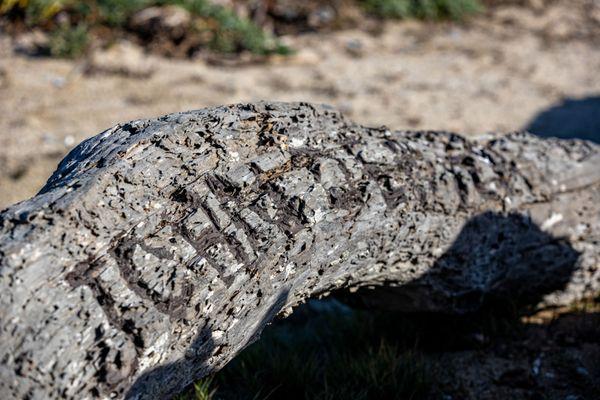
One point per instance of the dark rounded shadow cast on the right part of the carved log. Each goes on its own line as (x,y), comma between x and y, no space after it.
(497,263)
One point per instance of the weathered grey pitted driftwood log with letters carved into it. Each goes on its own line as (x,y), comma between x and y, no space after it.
(160,248)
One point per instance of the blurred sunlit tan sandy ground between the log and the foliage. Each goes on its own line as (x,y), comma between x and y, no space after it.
(499,72)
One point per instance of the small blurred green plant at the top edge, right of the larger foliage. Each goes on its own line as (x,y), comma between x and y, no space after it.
(425,9)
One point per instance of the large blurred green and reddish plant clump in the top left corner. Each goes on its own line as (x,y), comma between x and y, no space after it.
(227,32)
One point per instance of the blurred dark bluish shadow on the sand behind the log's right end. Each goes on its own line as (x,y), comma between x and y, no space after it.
(571,119)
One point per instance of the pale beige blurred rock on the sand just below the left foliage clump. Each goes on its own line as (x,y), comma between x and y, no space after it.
(123,58)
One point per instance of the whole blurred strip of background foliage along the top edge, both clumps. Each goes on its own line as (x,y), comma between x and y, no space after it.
(192,25)
